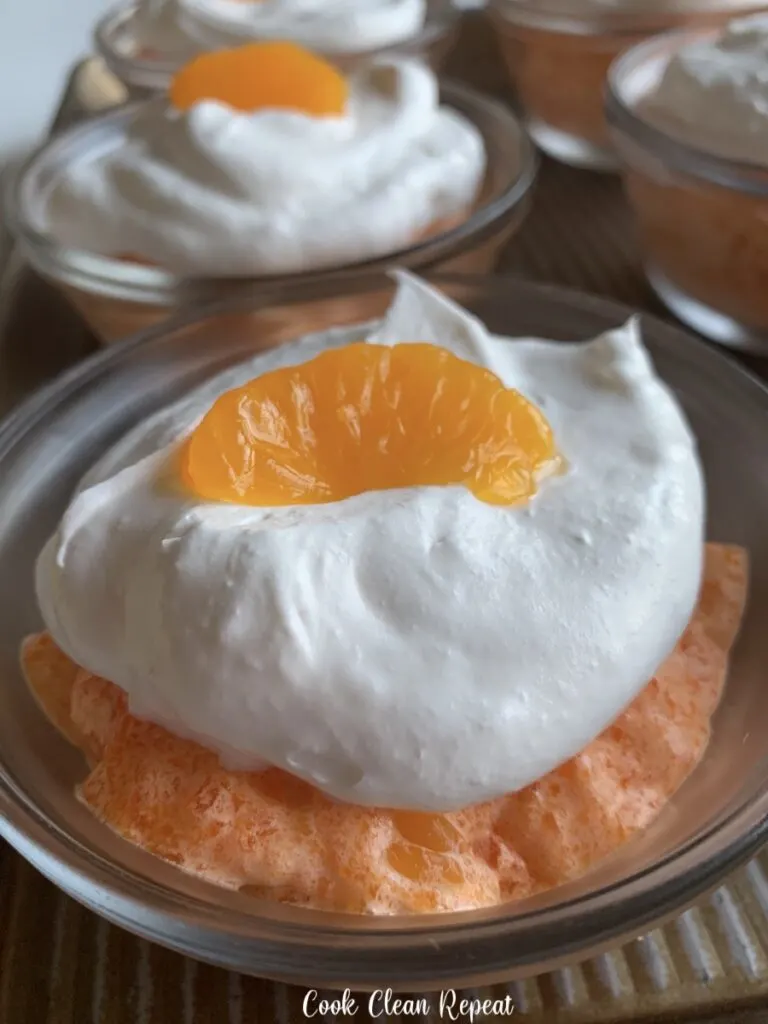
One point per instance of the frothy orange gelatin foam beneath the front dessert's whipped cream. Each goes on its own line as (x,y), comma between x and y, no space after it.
(274,836)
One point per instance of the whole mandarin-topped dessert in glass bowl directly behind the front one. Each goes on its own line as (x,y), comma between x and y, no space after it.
(415,177)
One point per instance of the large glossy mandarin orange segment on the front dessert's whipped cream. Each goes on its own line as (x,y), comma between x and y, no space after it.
(368,418)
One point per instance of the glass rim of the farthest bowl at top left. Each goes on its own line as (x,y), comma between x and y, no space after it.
(150,73)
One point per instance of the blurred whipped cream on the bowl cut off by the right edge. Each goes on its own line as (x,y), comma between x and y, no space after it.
(713,93)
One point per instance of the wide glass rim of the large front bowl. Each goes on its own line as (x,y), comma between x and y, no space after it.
(359,950)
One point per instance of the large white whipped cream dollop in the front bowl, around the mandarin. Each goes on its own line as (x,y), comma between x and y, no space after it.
(413,649)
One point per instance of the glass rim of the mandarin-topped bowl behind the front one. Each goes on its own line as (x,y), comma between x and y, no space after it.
(153,286)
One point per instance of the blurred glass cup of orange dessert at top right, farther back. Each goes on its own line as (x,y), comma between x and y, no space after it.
(559,58)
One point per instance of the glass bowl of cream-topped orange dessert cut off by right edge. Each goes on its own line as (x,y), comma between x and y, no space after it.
(698,179)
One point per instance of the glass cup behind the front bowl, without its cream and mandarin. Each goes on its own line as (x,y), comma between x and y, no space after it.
(118,297)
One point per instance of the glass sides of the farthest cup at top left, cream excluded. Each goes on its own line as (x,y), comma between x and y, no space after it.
(143,73)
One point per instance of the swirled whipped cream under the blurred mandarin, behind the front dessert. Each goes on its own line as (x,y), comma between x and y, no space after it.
(214,192)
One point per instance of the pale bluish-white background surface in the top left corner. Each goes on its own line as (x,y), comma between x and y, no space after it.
(39,41)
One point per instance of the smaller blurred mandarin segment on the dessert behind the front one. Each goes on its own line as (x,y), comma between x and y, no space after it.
(263,76)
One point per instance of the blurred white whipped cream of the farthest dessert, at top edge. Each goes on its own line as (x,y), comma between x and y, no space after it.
(174,27)
